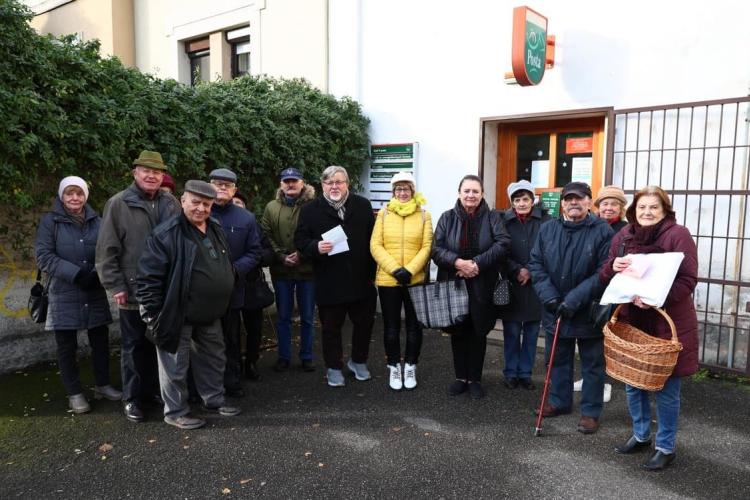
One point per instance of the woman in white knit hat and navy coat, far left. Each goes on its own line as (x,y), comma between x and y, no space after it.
(64,249)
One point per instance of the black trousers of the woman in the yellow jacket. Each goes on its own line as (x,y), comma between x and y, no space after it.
(391,300)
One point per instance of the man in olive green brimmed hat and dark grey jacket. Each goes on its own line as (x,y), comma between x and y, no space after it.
(127,220)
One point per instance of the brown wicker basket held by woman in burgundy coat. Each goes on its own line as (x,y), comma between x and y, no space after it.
(639,359)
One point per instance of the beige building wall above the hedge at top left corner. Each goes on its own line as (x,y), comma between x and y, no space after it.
(111,21)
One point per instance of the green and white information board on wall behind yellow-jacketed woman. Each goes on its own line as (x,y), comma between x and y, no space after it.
(386,160)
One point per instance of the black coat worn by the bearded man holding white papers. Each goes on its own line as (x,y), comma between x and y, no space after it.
(348,276)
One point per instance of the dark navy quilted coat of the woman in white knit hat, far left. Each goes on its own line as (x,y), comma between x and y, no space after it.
(69,256)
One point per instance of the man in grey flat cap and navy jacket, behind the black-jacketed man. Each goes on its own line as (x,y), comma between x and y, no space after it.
(243,236)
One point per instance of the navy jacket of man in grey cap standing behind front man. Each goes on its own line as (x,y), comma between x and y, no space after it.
(243,235)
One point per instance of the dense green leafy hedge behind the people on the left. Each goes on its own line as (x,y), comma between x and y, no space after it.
(66,111)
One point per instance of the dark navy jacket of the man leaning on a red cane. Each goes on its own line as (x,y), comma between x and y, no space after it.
(565,264)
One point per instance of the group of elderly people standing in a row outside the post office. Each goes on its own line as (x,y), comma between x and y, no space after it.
(177,271)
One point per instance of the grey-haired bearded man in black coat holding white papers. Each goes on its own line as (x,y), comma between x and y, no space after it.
(344,271)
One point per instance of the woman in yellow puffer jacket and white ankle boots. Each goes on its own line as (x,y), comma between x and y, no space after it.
(401,244)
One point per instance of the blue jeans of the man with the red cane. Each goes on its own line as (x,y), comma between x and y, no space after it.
(591,352)
